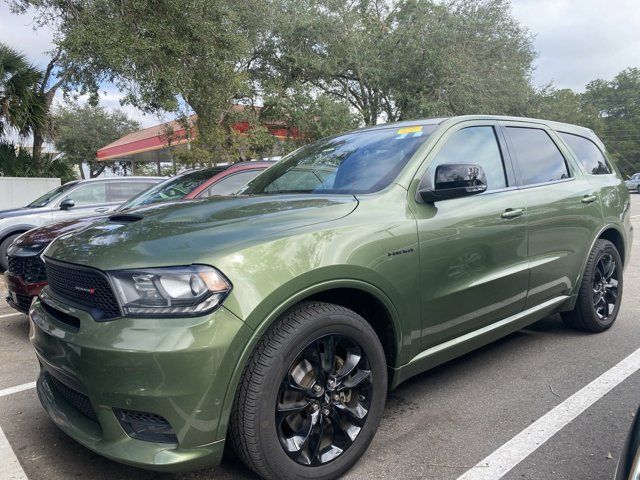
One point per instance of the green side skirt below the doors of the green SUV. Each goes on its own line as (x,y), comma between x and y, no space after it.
(458,346)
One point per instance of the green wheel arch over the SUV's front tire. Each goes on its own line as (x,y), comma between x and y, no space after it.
(359,296)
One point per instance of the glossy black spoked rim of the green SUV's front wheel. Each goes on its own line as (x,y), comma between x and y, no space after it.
(324,400)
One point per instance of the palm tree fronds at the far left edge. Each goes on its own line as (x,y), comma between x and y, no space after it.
(21,106)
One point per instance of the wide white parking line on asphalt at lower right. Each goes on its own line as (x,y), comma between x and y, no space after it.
(501,461)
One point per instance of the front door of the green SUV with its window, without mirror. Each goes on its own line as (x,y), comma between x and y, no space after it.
(473,250)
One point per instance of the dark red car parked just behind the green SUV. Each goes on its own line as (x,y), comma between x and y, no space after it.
(26,274)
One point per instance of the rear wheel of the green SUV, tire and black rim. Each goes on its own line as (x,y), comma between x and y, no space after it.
(586,316)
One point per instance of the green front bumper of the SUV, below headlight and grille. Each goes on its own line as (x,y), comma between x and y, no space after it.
(178,369)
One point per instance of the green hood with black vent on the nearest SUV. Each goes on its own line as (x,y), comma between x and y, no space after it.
(193,231)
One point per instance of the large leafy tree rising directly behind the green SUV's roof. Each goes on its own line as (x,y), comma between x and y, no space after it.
(397,59)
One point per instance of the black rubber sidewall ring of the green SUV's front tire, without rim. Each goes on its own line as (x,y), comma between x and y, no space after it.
(335,323)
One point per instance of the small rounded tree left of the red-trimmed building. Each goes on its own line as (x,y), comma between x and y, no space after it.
(81,130)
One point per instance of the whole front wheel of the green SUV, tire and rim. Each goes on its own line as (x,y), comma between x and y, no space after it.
(312,395)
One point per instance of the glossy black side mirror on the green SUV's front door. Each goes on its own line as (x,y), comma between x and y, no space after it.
(453,180)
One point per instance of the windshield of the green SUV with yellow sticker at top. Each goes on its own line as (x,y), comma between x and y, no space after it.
(359,162)
